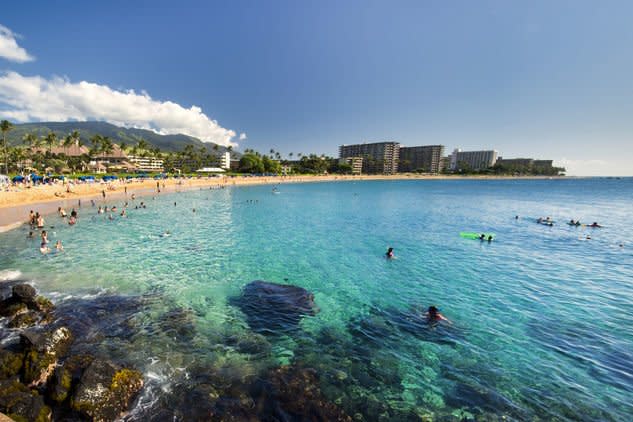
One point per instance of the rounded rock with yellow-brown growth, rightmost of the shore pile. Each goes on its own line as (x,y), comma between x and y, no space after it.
(105,391)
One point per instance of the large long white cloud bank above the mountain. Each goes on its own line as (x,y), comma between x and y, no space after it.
(33,98)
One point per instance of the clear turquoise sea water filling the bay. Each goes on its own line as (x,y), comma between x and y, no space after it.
(542,318)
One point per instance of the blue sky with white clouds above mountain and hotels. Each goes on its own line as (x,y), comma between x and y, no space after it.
(539,79)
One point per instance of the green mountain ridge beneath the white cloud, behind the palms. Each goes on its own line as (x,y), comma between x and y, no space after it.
(167,143)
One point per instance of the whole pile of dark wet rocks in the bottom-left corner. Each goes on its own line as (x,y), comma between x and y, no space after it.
(37,372)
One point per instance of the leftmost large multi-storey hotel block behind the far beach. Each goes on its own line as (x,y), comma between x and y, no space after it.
(377,157)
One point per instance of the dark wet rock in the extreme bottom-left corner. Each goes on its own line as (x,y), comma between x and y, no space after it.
(22,404)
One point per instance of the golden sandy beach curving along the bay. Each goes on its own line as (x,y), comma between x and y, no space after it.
(15,205)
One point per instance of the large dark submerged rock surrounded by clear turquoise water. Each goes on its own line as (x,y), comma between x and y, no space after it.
(271,307)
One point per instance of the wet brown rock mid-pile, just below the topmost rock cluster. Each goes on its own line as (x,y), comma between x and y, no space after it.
(42,352)
